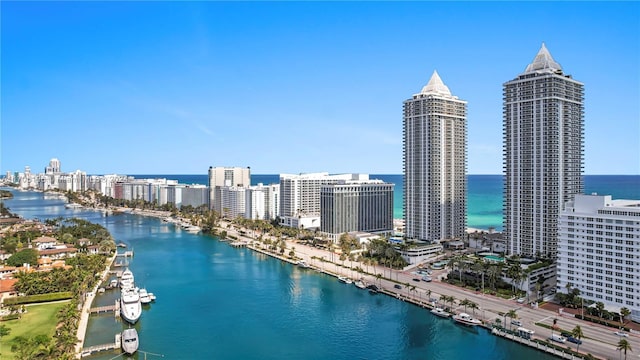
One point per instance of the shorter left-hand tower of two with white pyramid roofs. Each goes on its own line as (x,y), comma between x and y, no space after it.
(435,160)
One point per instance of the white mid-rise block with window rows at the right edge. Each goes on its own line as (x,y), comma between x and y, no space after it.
(599,251)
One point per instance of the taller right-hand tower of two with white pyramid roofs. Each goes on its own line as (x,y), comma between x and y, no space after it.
(543,154)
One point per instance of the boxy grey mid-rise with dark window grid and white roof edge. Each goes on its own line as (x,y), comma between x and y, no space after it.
(351,205)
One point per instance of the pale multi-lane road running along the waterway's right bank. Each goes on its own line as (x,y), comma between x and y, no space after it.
(598,340)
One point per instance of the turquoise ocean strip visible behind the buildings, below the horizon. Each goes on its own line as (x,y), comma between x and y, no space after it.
(484,197)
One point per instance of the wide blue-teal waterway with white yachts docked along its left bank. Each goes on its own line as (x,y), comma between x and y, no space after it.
(217,302)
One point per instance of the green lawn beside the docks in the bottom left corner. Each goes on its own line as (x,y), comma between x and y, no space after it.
(39,319)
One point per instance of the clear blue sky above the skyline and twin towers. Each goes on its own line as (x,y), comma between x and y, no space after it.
(289,87)
